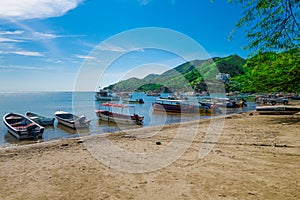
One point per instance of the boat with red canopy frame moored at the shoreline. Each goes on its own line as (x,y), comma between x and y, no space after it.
(119,113)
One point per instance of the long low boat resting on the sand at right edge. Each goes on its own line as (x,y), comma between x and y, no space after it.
(277,110)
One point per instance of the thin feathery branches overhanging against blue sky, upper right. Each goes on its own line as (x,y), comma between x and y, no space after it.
(272,24)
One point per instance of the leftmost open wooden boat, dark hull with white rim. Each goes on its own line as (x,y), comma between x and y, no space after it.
(22,127)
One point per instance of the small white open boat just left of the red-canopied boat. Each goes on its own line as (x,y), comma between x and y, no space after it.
(71,120)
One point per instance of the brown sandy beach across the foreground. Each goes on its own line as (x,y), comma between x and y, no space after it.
(253,157)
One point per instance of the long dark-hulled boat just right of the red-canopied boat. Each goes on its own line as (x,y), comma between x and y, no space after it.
(173,106)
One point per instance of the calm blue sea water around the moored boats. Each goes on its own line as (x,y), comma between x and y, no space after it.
(82,103)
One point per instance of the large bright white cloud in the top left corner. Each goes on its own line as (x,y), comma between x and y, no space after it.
(34,9)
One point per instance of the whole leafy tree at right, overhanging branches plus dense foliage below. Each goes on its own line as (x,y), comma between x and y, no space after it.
(272,26)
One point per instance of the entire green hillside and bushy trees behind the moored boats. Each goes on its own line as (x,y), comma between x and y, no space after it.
(265,72)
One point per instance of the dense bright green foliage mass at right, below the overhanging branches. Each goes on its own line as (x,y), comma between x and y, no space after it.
(271,72)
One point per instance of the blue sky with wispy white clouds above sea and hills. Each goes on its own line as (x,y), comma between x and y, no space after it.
(46,45)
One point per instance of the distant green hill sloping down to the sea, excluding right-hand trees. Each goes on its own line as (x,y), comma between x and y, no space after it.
(189,76)
